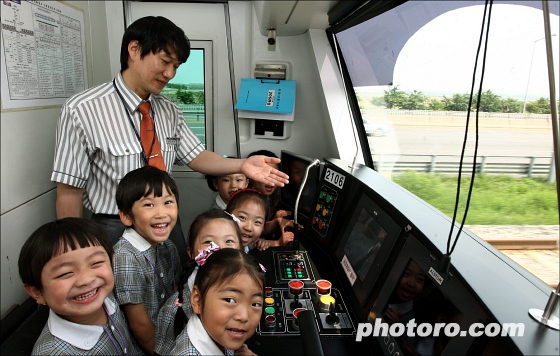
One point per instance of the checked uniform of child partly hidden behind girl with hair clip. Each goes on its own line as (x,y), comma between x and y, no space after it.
(165,334)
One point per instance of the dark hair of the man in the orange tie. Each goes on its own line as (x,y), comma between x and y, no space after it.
(153,35)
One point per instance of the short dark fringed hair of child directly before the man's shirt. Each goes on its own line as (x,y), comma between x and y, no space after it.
(142,182)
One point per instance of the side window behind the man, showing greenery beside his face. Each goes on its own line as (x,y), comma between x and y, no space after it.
(191,89)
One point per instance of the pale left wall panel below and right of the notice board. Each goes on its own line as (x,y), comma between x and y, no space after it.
(27,151)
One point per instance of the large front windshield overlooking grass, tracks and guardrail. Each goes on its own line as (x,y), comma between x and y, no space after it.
(412,72)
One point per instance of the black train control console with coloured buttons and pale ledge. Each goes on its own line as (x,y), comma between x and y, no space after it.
(362,235)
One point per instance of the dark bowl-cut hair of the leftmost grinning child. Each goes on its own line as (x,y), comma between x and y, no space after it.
(55,238)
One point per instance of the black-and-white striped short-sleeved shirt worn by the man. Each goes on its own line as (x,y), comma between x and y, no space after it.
(96,144)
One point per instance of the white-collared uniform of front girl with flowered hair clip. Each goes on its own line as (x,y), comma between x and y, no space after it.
(195,341)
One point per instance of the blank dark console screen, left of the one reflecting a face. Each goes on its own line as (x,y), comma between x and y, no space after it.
(363,243)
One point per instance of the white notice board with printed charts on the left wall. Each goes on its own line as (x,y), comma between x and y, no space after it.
(43,53)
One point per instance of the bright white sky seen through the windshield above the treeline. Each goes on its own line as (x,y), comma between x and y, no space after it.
(445,66)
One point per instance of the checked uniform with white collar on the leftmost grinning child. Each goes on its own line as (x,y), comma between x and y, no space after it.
(62,337)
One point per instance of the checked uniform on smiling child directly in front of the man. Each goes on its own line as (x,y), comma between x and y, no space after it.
(144,274)
